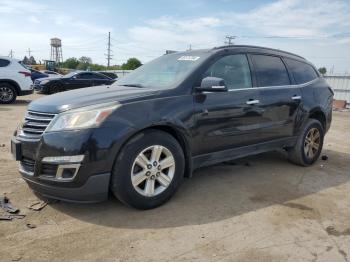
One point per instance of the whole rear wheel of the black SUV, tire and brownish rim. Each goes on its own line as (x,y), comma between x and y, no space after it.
(300,154)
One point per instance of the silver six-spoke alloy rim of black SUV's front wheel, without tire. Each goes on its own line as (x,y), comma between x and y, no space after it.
(153,170)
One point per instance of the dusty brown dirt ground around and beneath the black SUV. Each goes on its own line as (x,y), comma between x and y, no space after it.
(268,210)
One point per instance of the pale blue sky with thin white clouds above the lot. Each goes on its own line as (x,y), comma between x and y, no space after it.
(318,30)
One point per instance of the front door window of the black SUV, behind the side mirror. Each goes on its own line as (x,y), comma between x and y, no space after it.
(234,69)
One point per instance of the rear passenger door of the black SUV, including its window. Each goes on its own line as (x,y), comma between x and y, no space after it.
(279,99)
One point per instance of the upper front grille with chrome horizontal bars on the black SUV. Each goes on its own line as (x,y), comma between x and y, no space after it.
(35,124)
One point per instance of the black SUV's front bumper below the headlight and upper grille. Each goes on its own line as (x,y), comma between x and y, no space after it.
(89,184)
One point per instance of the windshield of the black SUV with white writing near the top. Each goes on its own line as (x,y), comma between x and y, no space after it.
(164,72)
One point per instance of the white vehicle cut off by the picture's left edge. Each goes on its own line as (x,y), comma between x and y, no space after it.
(14,80)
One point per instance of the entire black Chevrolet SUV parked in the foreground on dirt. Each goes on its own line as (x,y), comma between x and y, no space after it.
(139,137)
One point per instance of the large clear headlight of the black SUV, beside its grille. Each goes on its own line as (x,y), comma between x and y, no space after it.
(85,117)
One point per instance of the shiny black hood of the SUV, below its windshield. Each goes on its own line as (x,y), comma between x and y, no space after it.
(89,96)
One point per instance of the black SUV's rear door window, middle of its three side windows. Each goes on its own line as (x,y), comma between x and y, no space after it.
(270,71)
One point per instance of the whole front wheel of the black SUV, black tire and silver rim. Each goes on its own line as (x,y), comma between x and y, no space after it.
(129,162)
